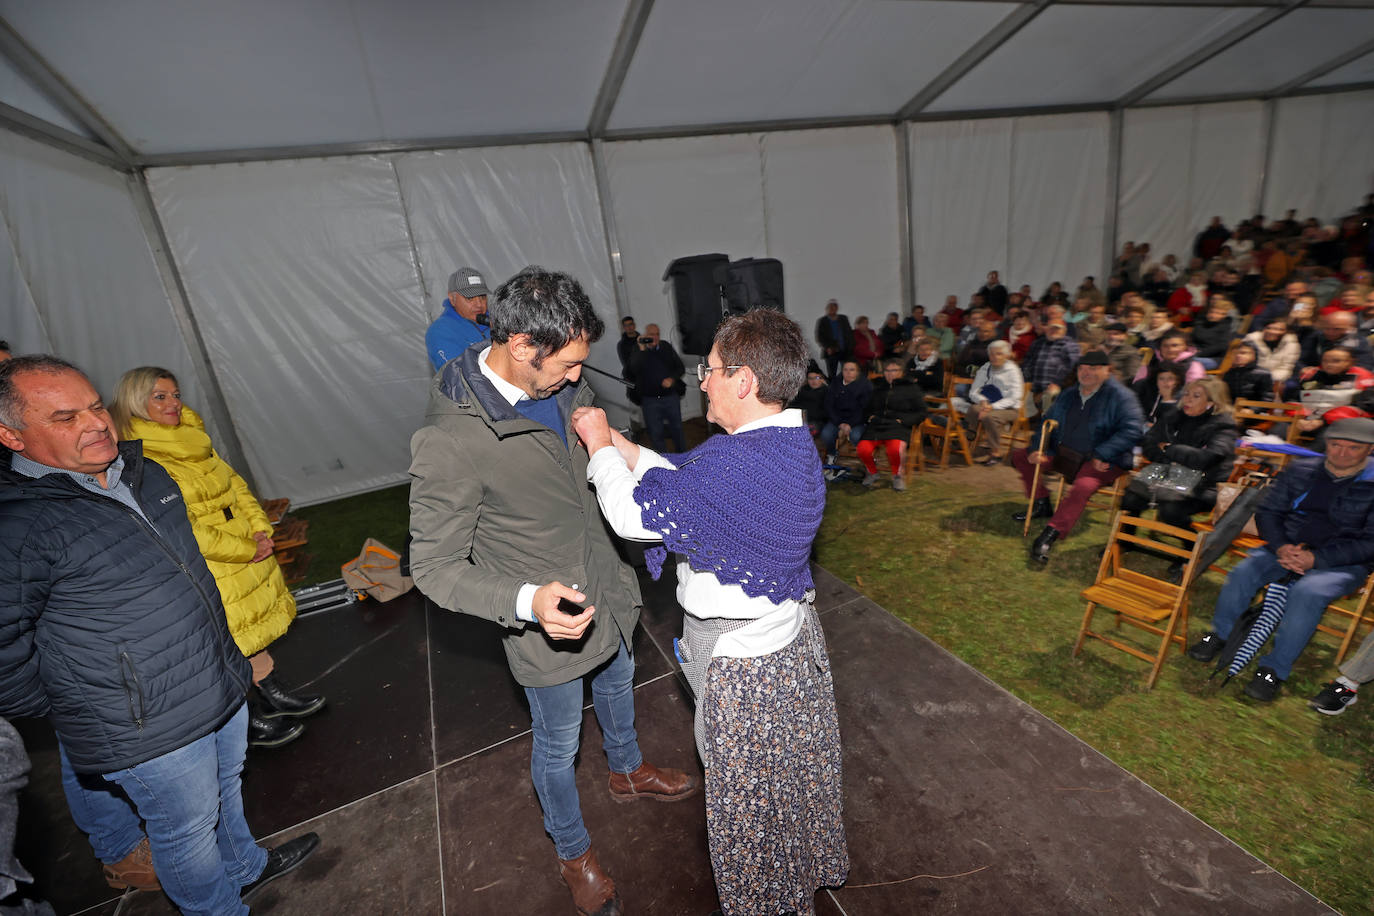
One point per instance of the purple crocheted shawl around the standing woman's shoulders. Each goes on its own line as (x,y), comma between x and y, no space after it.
(745,507)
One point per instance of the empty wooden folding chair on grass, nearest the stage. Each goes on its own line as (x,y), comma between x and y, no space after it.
(1142,601)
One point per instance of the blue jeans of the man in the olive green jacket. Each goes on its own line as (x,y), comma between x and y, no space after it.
(557,719)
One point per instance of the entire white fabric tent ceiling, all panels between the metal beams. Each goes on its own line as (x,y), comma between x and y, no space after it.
(208,79)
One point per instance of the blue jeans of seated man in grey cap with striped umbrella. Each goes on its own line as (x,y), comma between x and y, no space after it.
(1307,601)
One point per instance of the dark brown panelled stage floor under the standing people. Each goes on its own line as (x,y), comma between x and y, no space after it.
(958,797)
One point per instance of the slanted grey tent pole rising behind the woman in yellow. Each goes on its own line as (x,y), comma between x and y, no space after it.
(227,437)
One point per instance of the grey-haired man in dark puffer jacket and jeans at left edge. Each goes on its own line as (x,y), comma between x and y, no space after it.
(112,626)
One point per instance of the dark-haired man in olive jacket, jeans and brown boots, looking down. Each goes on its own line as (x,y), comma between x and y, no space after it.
(506,528)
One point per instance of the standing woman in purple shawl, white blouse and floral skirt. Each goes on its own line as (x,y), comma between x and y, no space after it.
(741,513)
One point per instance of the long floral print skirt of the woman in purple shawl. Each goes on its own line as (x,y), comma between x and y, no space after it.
(774,815)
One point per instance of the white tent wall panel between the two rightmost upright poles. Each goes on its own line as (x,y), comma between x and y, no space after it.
(1182,165)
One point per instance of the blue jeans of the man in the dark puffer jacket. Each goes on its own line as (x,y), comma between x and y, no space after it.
(193,805)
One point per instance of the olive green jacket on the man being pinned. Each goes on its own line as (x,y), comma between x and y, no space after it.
(498,501)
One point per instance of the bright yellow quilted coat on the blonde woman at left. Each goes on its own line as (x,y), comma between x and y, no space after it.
(256,598)
